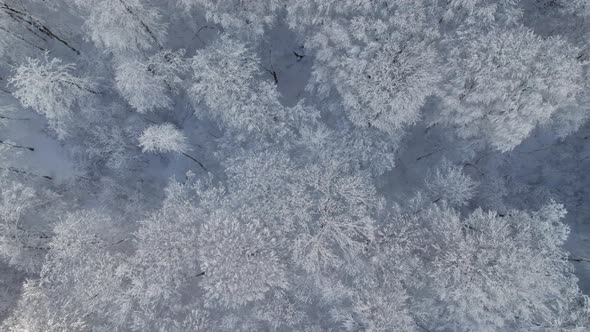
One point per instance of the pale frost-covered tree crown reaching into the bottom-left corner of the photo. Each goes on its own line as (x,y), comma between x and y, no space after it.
(79,278)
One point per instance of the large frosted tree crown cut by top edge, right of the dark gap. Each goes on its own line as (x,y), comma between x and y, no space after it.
(379,58)
